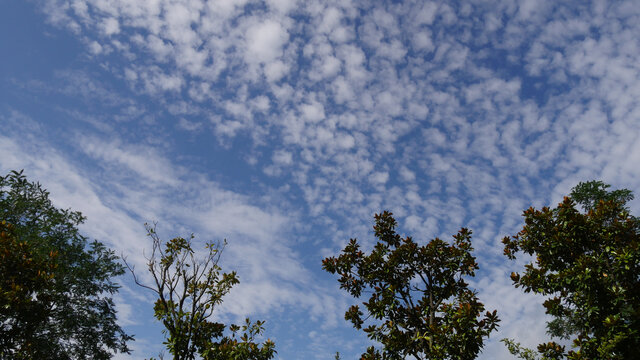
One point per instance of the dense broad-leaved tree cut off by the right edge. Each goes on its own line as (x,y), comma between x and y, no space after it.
(587,263)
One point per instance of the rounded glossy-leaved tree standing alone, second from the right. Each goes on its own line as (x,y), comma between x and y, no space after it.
(422,304)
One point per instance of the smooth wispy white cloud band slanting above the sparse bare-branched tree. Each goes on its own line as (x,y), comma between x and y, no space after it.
(129,185)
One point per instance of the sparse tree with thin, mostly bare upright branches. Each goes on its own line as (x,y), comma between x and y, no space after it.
(189,288)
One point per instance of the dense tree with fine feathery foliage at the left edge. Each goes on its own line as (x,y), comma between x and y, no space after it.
(55,287)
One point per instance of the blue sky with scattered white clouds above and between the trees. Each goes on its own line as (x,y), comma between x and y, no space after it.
(284,126)
